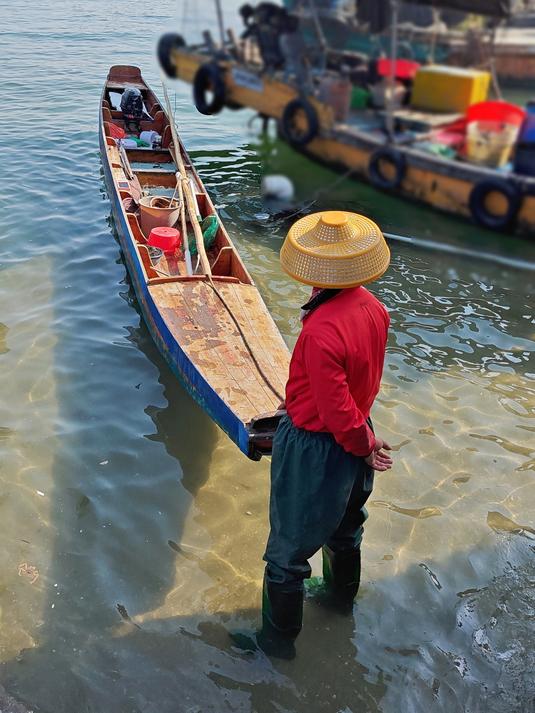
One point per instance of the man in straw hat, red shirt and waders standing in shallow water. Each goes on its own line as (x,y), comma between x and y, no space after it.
(325,450)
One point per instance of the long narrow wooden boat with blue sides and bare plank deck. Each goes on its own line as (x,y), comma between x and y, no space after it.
(237,375)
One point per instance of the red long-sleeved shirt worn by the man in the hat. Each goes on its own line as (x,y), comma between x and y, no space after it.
(336,368)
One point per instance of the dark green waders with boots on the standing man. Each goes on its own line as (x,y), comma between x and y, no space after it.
(318,493)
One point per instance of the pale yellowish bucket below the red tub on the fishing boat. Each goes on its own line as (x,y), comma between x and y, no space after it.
(490,143)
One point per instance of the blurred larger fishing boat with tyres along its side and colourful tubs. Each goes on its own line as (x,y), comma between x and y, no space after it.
(436,147)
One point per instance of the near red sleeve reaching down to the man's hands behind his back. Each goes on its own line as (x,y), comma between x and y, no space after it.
(336,407)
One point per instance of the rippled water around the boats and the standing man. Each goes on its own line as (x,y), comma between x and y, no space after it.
(132,530)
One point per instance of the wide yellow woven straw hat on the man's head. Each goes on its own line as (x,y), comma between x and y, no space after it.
(335,249)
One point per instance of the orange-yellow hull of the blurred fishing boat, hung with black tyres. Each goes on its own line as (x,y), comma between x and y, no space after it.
(494,199)
